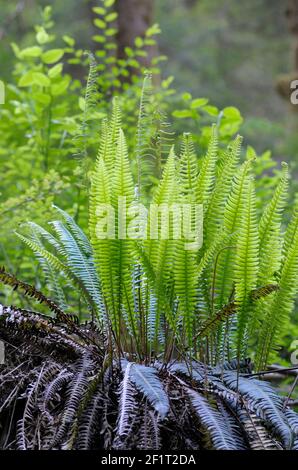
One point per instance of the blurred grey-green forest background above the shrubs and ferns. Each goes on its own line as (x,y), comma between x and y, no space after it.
(231,51)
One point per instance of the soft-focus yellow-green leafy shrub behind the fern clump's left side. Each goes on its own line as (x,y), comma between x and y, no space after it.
(47,122)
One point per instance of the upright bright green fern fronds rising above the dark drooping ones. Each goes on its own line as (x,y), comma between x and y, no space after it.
(160,293)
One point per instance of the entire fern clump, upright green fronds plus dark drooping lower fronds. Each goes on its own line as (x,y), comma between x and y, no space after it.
(170,328)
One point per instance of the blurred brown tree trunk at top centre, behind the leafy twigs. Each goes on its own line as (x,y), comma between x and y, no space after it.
(134,18)
